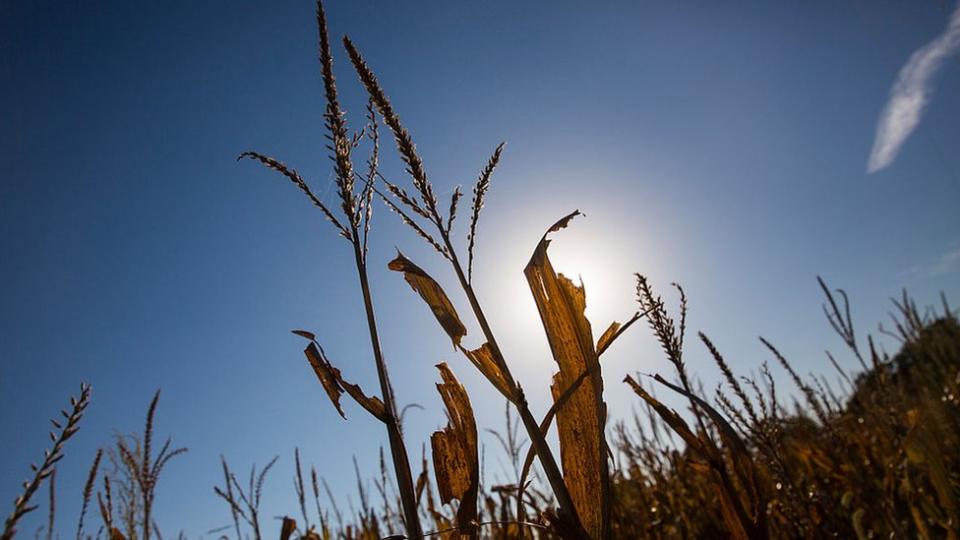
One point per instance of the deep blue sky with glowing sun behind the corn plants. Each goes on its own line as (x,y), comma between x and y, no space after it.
(739,151)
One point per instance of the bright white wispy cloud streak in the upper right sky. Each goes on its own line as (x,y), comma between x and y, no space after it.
(910,95)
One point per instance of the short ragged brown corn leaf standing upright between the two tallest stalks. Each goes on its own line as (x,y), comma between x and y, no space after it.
(455,454)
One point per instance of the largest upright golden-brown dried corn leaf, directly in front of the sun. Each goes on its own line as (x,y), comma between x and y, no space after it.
(581,422)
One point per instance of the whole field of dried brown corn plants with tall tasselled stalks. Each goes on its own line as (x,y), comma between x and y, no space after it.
(877,456)
